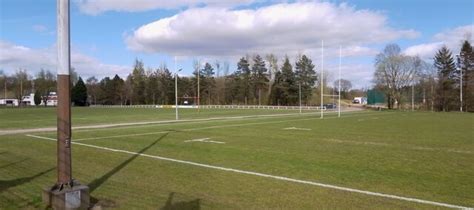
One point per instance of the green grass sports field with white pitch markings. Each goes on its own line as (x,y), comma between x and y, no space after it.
(241,163)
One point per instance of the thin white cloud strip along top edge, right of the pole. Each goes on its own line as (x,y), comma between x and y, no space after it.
(94,7)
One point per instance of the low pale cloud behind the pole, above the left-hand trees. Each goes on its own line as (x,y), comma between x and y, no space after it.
(14,57)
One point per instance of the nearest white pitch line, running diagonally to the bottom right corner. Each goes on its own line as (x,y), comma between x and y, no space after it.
(329,186)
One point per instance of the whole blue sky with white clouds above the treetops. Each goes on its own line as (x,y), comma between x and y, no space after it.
(107,36)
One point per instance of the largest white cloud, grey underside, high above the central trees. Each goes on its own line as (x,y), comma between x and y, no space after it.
(281,28)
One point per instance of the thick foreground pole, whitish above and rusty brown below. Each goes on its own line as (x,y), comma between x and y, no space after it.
(64,168)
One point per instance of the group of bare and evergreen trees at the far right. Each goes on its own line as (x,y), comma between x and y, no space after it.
(433,86)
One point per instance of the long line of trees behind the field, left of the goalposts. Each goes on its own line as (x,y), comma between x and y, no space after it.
(256,80)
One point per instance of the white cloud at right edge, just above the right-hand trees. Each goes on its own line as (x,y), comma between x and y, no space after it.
(452,38)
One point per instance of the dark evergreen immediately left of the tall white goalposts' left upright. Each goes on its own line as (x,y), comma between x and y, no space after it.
(306,76)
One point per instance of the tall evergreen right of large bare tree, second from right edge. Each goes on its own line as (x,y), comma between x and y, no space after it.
(444,63)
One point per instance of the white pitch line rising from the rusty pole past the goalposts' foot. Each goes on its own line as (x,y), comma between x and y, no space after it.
(223,126)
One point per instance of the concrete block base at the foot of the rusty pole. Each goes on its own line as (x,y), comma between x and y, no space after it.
(69,198)
